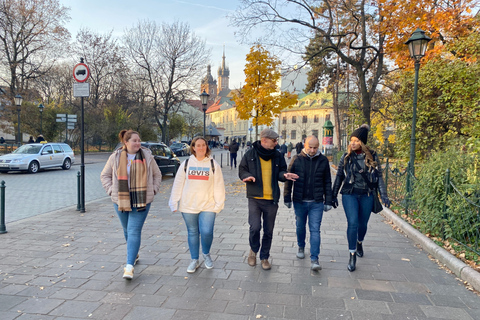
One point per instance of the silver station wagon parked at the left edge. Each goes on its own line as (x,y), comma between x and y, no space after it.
(35,156)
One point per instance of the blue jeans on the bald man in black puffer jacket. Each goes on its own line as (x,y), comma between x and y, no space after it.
(313,212)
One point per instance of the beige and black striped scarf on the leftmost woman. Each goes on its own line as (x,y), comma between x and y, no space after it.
(136,196)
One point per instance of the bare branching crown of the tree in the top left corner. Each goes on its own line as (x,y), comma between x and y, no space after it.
(32,37)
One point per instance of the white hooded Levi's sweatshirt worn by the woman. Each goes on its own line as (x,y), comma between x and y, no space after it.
(198,189)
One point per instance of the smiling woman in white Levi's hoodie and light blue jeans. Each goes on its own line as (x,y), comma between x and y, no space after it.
(198,192)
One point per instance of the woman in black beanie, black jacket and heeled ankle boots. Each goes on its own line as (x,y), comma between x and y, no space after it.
(358,169)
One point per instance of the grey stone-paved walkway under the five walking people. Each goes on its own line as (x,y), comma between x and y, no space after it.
(66,265)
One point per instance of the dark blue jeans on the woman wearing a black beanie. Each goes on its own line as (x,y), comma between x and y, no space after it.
(358,208)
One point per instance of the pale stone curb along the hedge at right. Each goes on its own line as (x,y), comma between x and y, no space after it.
(457,266)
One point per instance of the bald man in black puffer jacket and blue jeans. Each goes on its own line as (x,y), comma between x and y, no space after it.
(312,194)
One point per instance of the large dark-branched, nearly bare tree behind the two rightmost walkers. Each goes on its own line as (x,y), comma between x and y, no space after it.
(348,29)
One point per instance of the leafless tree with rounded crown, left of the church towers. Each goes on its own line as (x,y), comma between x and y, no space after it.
(171,59)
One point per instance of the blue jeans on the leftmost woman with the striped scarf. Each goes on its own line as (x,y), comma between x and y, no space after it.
(132,223)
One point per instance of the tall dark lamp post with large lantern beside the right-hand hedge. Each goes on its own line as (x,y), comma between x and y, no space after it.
(417,45)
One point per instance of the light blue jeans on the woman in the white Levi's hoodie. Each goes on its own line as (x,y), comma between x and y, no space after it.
(199,226)
